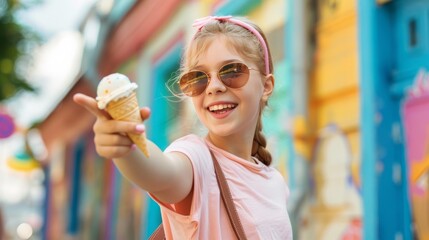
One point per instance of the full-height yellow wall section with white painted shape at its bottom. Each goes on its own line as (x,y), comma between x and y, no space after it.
(332,208)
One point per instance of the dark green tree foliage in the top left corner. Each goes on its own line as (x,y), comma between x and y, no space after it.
(13,36)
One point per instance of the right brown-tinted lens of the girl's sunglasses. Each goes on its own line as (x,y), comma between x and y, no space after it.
(234,75)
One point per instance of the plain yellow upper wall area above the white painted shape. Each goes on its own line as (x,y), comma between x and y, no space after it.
(334,86)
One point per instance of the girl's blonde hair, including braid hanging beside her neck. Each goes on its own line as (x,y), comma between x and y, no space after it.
(249,47)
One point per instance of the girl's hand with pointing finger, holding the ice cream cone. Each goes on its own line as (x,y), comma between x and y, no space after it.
(111,140)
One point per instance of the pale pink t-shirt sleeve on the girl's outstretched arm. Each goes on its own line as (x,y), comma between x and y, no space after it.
(197,151)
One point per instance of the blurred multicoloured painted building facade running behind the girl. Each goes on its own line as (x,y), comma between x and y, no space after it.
(344,130)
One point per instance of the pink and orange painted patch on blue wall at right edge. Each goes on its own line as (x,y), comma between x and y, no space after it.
(416,123)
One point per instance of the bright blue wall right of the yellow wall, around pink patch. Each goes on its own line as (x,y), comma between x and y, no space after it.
(393,47)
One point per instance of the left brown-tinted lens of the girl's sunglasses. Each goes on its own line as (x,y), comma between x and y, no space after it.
(193,83)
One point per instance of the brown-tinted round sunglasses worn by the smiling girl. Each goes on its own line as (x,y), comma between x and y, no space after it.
(232,75)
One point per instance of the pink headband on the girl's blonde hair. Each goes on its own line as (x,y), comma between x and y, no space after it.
(201,22)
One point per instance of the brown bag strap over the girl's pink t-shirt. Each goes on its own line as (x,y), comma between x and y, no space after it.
(225,193)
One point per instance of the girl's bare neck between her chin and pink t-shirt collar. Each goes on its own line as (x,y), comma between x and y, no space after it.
(240,146)
